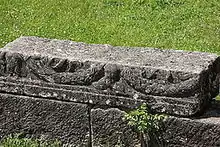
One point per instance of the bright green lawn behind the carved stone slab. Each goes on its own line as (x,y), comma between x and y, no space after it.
(179,24)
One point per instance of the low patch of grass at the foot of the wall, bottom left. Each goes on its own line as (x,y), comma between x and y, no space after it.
(18,141)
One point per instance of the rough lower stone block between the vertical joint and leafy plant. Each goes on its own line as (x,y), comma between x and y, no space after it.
(109,129)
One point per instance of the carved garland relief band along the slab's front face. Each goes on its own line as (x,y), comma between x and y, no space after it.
(108,78)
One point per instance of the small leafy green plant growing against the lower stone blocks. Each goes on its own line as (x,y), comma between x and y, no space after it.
(145,123)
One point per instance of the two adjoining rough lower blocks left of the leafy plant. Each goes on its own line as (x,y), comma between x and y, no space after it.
(72,123)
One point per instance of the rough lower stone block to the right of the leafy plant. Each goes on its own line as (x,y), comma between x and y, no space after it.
(181,132)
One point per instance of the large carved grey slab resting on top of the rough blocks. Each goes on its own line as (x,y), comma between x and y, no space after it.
(174,82)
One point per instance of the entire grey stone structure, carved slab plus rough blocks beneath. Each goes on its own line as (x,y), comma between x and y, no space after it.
(78,93)
